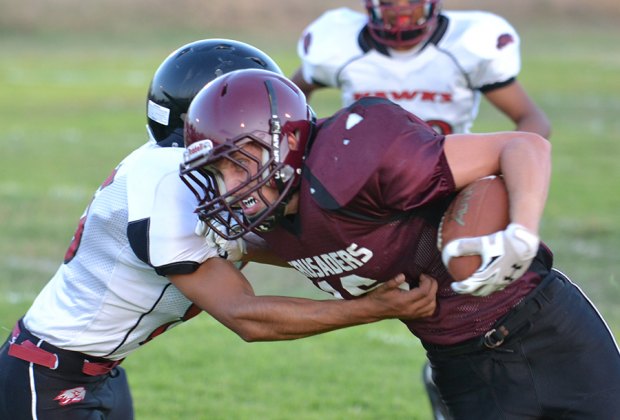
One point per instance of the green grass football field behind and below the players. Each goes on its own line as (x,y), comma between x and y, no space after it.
(72,107)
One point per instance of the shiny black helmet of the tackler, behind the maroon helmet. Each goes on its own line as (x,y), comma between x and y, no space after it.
(184,72)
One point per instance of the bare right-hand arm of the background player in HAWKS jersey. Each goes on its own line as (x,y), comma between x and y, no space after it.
(515,103)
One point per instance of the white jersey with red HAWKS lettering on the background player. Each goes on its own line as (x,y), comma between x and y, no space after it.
(470,52)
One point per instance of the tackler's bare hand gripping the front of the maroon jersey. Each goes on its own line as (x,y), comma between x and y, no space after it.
(400,302)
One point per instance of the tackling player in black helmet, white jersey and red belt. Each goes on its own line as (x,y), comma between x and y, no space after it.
(136,268)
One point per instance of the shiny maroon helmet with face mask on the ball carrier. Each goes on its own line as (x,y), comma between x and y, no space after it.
(242,107)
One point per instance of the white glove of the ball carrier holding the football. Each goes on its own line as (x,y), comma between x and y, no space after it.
(506,256)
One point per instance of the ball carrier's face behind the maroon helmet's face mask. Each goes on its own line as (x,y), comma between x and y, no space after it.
(239,172)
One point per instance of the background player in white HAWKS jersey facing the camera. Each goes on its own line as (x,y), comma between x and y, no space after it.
(435,64)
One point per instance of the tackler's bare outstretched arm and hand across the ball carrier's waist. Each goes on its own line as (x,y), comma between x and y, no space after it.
(222,291)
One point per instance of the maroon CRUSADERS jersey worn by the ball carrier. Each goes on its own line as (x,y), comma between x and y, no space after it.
(374,188)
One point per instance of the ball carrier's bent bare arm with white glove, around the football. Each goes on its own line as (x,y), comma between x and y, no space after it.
(524,159)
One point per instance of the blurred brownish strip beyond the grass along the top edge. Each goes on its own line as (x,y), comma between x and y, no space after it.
(257,17)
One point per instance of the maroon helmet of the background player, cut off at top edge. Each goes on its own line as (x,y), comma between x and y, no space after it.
(399,25)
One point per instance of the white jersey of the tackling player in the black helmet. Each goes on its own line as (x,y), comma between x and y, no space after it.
(111,294)
